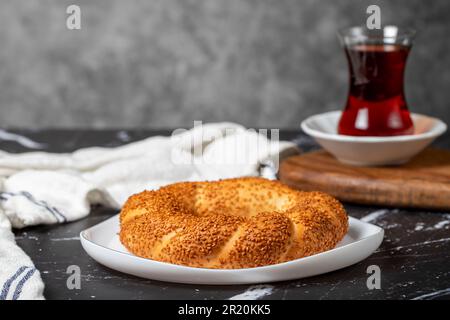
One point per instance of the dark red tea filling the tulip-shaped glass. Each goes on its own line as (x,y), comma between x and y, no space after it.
(376,103)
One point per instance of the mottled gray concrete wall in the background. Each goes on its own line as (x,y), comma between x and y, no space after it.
(158,63)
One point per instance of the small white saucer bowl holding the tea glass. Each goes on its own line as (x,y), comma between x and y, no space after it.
(372,151)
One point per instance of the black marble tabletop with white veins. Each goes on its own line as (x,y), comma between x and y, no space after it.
(414,258)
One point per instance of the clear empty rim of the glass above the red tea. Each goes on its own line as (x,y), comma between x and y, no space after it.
(361,32)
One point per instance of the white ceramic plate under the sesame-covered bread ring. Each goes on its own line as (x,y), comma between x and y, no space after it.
(102,243)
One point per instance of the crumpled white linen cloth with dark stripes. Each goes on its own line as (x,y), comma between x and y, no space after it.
(48,188)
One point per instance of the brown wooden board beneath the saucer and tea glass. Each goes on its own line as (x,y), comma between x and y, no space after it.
(424,182)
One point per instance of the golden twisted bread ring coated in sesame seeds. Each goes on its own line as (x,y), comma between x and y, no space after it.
(230,224)
